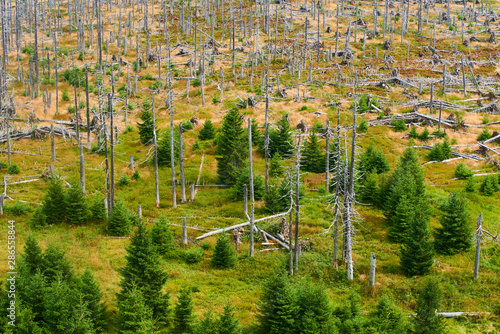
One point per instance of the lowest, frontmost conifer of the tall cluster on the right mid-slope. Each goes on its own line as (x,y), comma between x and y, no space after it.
(417,253)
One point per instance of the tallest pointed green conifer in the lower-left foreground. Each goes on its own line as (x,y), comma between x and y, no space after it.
(143,270)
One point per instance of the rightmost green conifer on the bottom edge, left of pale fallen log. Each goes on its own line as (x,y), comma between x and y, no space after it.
(427,321)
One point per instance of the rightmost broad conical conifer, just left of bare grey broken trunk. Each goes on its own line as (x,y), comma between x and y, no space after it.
(454,235)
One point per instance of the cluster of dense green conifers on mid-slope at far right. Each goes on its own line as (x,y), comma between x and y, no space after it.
(407,211)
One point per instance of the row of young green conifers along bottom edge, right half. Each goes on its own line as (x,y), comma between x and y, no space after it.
(297,307)
